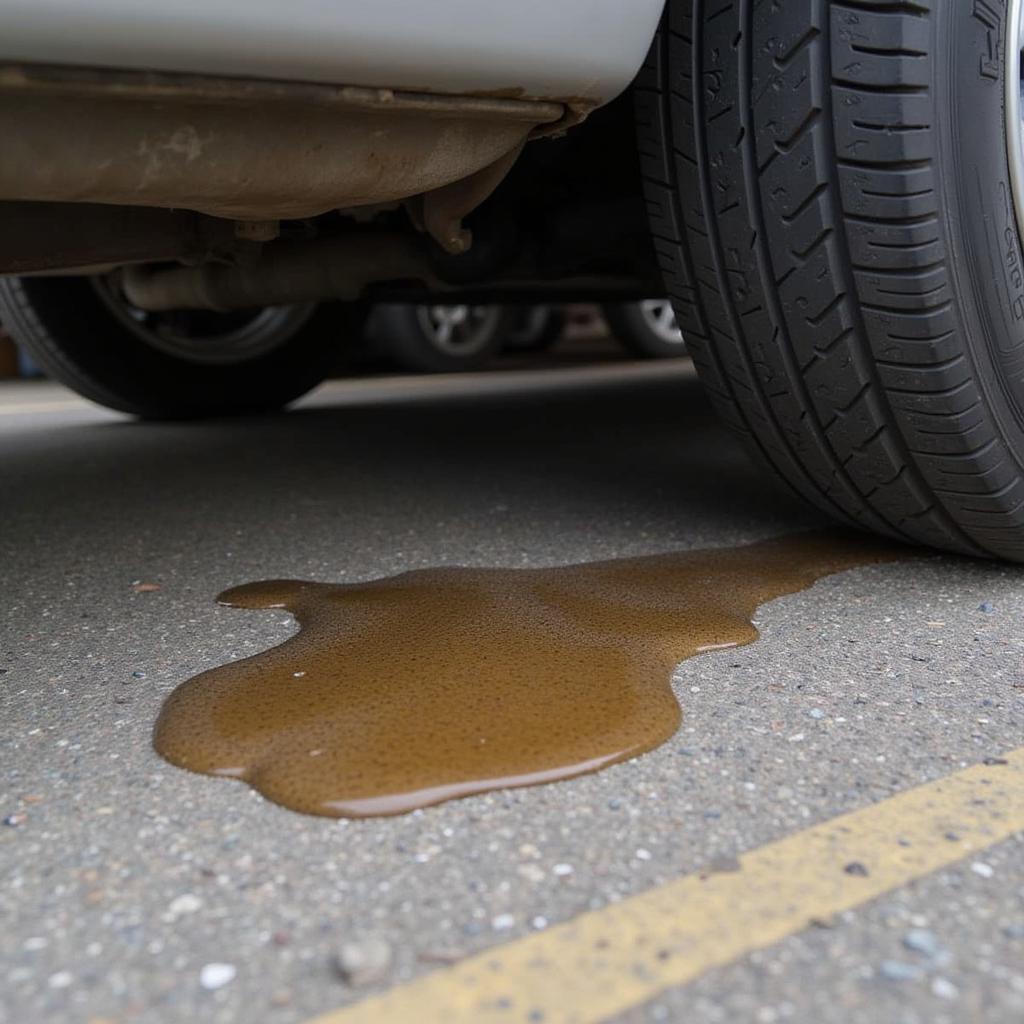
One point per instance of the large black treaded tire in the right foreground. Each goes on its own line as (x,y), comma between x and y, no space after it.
(830,194)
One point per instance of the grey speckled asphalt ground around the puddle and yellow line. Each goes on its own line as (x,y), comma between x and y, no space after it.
(124,878)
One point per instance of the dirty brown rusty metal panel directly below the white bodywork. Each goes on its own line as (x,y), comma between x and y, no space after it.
(250,151)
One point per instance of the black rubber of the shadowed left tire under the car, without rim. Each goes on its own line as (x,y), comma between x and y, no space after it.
(75,338)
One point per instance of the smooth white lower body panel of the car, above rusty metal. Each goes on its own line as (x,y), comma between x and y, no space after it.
(560,50)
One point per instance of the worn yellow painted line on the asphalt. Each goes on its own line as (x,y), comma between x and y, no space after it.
(610,961)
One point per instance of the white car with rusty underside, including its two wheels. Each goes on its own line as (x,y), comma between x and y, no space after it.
(831,194)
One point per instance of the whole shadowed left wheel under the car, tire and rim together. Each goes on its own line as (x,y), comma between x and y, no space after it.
(192,364)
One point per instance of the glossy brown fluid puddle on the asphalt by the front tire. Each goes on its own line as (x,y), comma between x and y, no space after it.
(441,684)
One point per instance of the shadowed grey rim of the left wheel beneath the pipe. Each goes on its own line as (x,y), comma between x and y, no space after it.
(203,336)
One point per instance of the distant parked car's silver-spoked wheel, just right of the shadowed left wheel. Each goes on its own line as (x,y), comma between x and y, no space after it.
(443,338)
